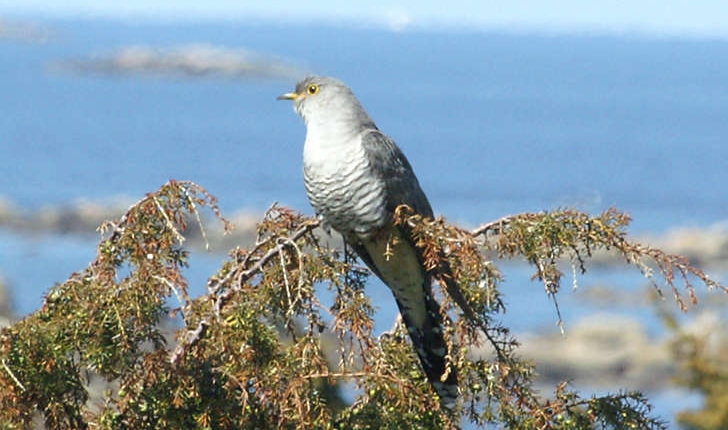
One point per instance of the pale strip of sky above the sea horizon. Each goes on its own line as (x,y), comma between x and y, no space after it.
(689,18)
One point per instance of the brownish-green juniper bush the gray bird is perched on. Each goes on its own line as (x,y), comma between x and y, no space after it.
(259,350)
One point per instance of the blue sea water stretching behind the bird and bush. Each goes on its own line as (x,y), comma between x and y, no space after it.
(493,123)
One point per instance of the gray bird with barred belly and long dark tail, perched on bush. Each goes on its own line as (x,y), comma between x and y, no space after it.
(355,177)
